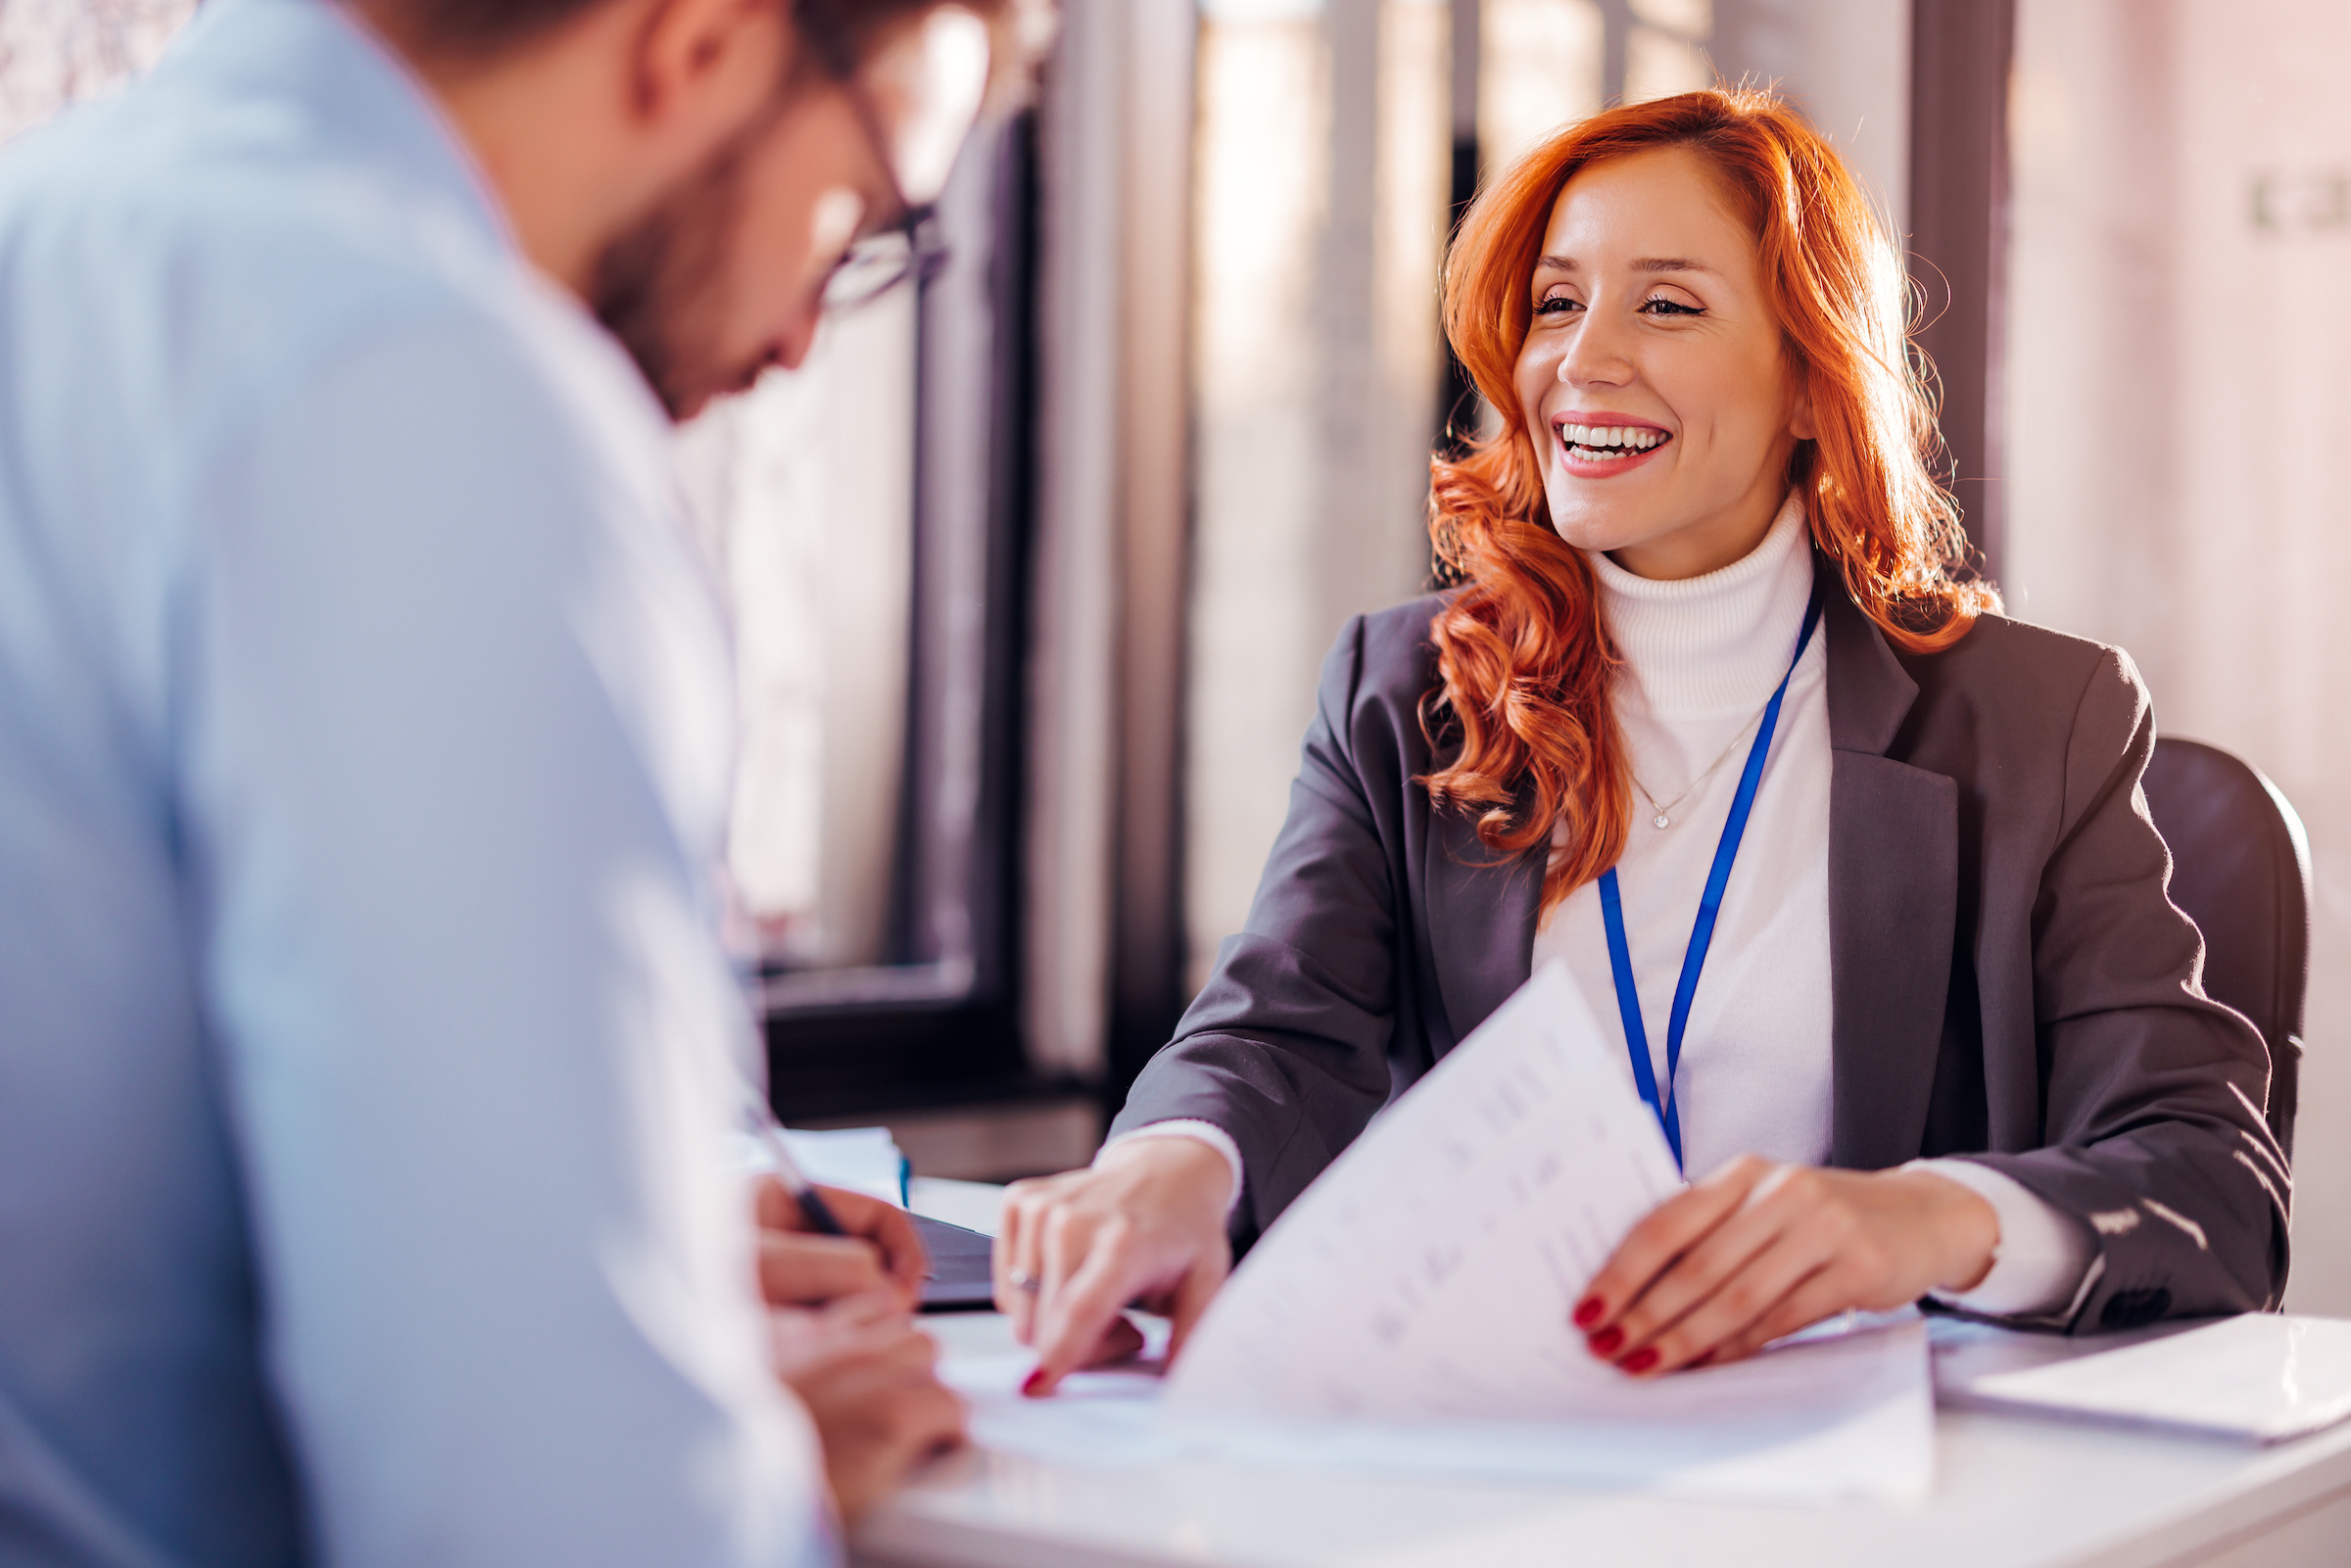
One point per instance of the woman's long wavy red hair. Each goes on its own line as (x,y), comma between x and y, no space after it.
(1522,655)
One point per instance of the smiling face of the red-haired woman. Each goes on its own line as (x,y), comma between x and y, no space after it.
(1654,377)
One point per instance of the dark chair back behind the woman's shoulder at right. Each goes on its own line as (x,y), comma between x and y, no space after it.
(2242,871)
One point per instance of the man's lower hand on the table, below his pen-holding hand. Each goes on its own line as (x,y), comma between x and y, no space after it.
(871,1383)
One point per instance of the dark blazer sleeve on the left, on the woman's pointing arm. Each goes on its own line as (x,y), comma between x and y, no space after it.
(1287,1045)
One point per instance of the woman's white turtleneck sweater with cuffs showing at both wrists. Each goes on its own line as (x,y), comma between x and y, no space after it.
(1701,659)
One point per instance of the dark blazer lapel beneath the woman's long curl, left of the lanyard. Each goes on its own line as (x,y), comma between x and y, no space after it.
(1482,923)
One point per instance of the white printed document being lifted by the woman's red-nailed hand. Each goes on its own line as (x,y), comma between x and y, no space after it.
(1412,1313)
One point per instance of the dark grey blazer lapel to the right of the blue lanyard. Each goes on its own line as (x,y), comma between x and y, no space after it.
(1894,899)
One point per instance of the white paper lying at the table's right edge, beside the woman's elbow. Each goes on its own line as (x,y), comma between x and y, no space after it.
(2251,1376)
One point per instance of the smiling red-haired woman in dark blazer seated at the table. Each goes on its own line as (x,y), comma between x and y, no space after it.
(1854,869)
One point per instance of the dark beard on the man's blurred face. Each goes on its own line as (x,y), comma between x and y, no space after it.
(659,288)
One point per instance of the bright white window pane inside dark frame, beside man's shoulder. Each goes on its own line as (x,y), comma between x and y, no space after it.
(805,490)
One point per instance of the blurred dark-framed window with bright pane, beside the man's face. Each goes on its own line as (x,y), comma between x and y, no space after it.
(871,516)
